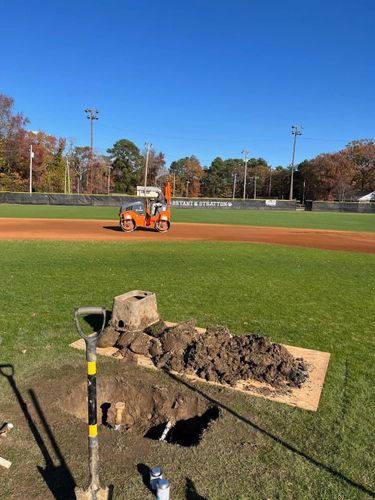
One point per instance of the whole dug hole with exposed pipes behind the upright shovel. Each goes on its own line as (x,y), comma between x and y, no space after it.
(148,409)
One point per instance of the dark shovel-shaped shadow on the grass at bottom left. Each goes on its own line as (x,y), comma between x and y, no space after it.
(57,477)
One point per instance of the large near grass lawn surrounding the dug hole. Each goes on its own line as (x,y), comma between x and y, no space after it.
(259,449)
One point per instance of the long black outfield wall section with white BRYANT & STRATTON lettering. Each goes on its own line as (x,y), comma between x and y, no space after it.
(118,200)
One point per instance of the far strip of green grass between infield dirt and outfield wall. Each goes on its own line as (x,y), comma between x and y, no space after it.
(312,220)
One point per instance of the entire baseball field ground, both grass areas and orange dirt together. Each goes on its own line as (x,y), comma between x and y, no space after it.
(303,279)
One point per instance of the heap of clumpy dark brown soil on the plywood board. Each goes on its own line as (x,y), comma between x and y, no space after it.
(216,355)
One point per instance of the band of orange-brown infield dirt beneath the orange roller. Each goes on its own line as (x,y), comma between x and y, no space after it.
(69,229)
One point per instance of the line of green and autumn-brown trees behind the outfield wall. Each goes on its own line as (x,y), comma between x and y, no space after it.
(61,166)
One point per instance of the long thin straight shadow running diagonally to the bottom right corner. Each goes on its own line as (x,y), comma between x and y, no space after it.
(275,438)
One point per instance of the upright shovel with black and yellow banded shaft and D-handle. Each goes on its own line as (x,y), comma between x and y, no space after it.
(94,492)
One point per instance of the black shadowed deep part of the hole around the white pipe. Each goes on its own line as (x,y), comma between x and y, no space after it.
(186,432)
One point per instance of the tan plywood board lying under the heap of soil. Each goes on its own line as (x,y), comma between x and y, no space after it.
(306,397)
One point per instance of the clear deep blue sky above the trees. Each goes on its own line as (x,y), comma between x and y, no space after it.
(203,77)
